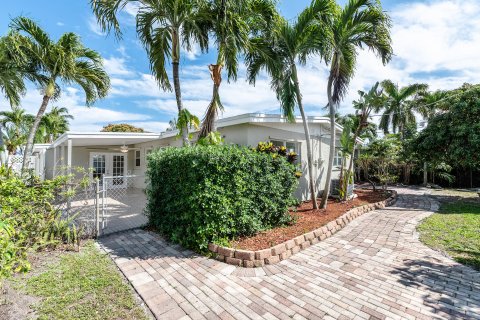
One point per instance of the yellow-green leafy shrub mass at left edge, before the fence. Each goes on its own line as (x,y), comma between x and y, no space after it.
(28,219)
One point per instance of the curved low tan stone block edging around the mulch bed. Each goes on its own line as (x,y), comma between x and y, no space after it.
(282,251)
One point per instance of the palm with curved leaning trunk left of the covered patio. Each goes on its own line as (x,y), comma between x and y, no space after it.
(66,60)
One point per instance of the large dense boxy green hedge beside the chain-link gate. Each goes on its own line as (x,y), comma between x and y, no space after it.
(207,194)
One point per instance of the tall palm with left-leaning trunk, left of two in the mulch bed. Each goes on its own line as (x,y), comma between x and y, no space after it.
(277,51)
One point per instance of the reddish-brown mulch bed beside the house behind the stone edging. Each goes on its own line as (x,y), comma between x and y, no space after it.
(306,220)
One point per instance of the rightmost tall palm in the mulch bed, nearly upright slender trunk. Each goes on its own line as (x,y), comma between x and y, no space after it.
(361,23)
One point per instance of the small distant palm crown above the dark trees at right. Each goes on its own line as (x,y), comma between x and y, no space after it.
(399,109)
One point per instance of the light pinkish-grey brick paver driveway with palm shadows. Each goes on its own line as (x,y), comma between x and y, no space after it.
(375,268)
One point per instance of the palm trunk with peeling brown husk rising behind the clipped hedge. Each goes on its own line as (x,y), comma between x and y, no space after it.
(208,123)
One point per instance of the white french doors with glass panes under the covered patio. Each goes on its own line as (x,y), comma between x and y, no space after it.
(112,166)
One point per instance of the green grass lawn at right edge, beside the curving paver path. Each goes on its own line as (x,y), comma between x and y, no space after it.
(455,229)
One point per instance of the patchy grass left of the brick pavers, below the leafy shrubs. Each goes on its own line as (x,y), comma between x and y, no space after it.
(83,285)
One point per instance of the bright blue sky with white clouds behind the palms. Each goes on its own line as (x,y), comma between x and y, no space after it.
(437,42)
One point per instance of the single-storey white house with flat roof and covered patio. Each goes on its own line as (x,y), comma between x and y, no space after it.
(118,154)
